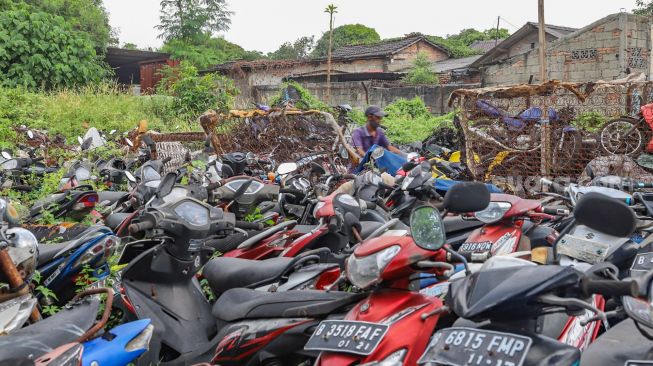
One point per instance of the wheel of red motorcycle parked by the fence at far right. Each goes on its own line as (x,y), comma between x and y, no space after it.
(621,137)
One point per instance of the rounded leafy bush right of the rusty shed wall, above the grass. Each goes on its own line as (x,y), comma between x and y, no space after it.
(194,94)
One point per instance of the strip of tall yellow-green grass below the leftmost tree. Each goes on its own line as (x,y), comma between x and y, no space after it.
(104,106)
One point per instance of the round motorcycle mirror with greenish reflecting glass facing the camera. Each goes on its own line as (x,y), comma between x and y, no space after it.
(427,228)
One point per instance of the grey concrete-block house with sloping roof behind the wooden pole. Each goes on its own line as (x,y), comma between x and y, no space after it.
(607,49)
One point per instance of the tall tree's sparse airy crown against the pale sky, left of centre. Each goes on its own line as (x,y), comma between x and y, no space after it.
(188,19)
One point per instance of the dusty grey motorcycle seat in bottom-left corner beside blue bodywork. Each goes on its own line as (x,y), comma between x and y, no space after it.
(42,337)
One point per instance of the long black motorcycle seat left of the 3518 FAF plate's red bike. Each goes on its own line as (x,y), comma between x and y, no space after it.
(241,303)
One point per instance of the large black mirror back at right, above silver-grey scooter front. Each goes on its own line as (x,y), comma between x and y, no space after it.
(590,211)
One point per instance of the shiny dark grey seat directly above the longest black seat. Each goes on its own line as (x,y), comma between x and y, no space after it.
(227,273)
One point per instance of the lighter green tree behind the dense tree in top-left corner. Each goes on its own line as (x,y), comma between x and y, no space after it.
(88,16)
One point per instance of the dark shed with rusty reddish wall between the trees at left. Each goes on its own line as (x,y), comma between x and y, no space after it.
(137,68)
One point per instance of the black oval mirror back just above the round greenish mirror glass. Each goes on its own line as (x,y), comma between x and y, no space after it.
(467,197)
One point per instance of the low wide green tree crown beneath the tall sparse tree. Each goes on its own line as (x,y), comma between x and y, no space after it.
(205,51)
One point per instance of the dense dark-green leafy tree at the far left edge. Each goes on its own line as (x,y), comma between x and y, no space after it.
(38,49)
